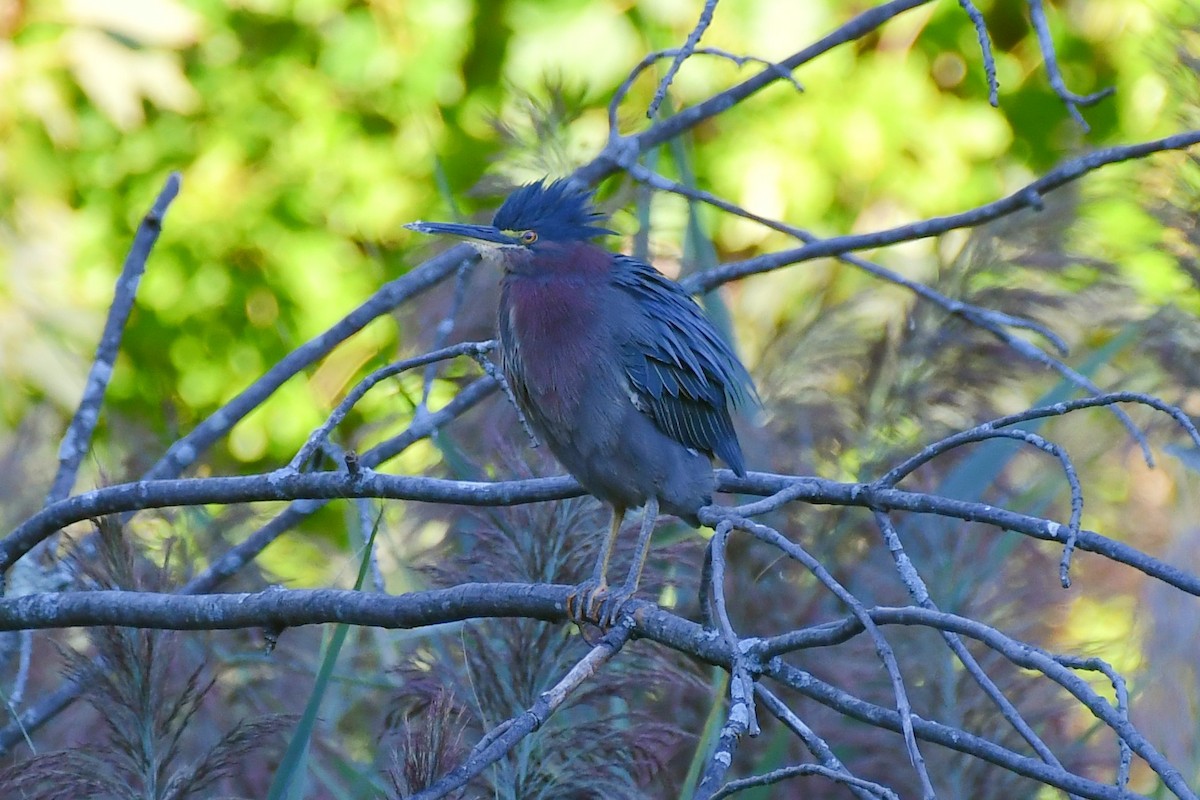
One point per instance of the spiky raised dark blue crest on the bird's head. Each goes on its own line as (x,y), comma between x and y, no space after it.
(554,210)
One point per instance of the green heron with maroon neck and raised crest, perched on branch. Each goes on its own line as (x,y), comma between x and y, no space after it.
(616,368)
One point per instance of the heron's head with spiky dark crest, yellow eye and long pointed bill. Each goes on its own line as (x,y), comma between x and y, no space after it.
(532,218)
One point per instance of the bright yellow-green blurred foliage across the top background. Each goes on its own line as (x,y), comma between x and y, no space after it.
(309,133)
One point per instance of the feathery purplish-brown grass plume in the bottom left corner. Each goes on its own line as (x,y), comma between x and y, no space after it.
(147,691)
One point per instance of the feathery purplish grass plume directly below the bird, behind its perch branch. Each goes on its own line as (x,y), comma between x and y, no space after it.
(472,681)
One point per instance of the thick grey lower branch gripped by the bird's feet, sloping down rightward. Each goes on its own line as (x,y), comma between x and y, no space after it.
(290,609)
